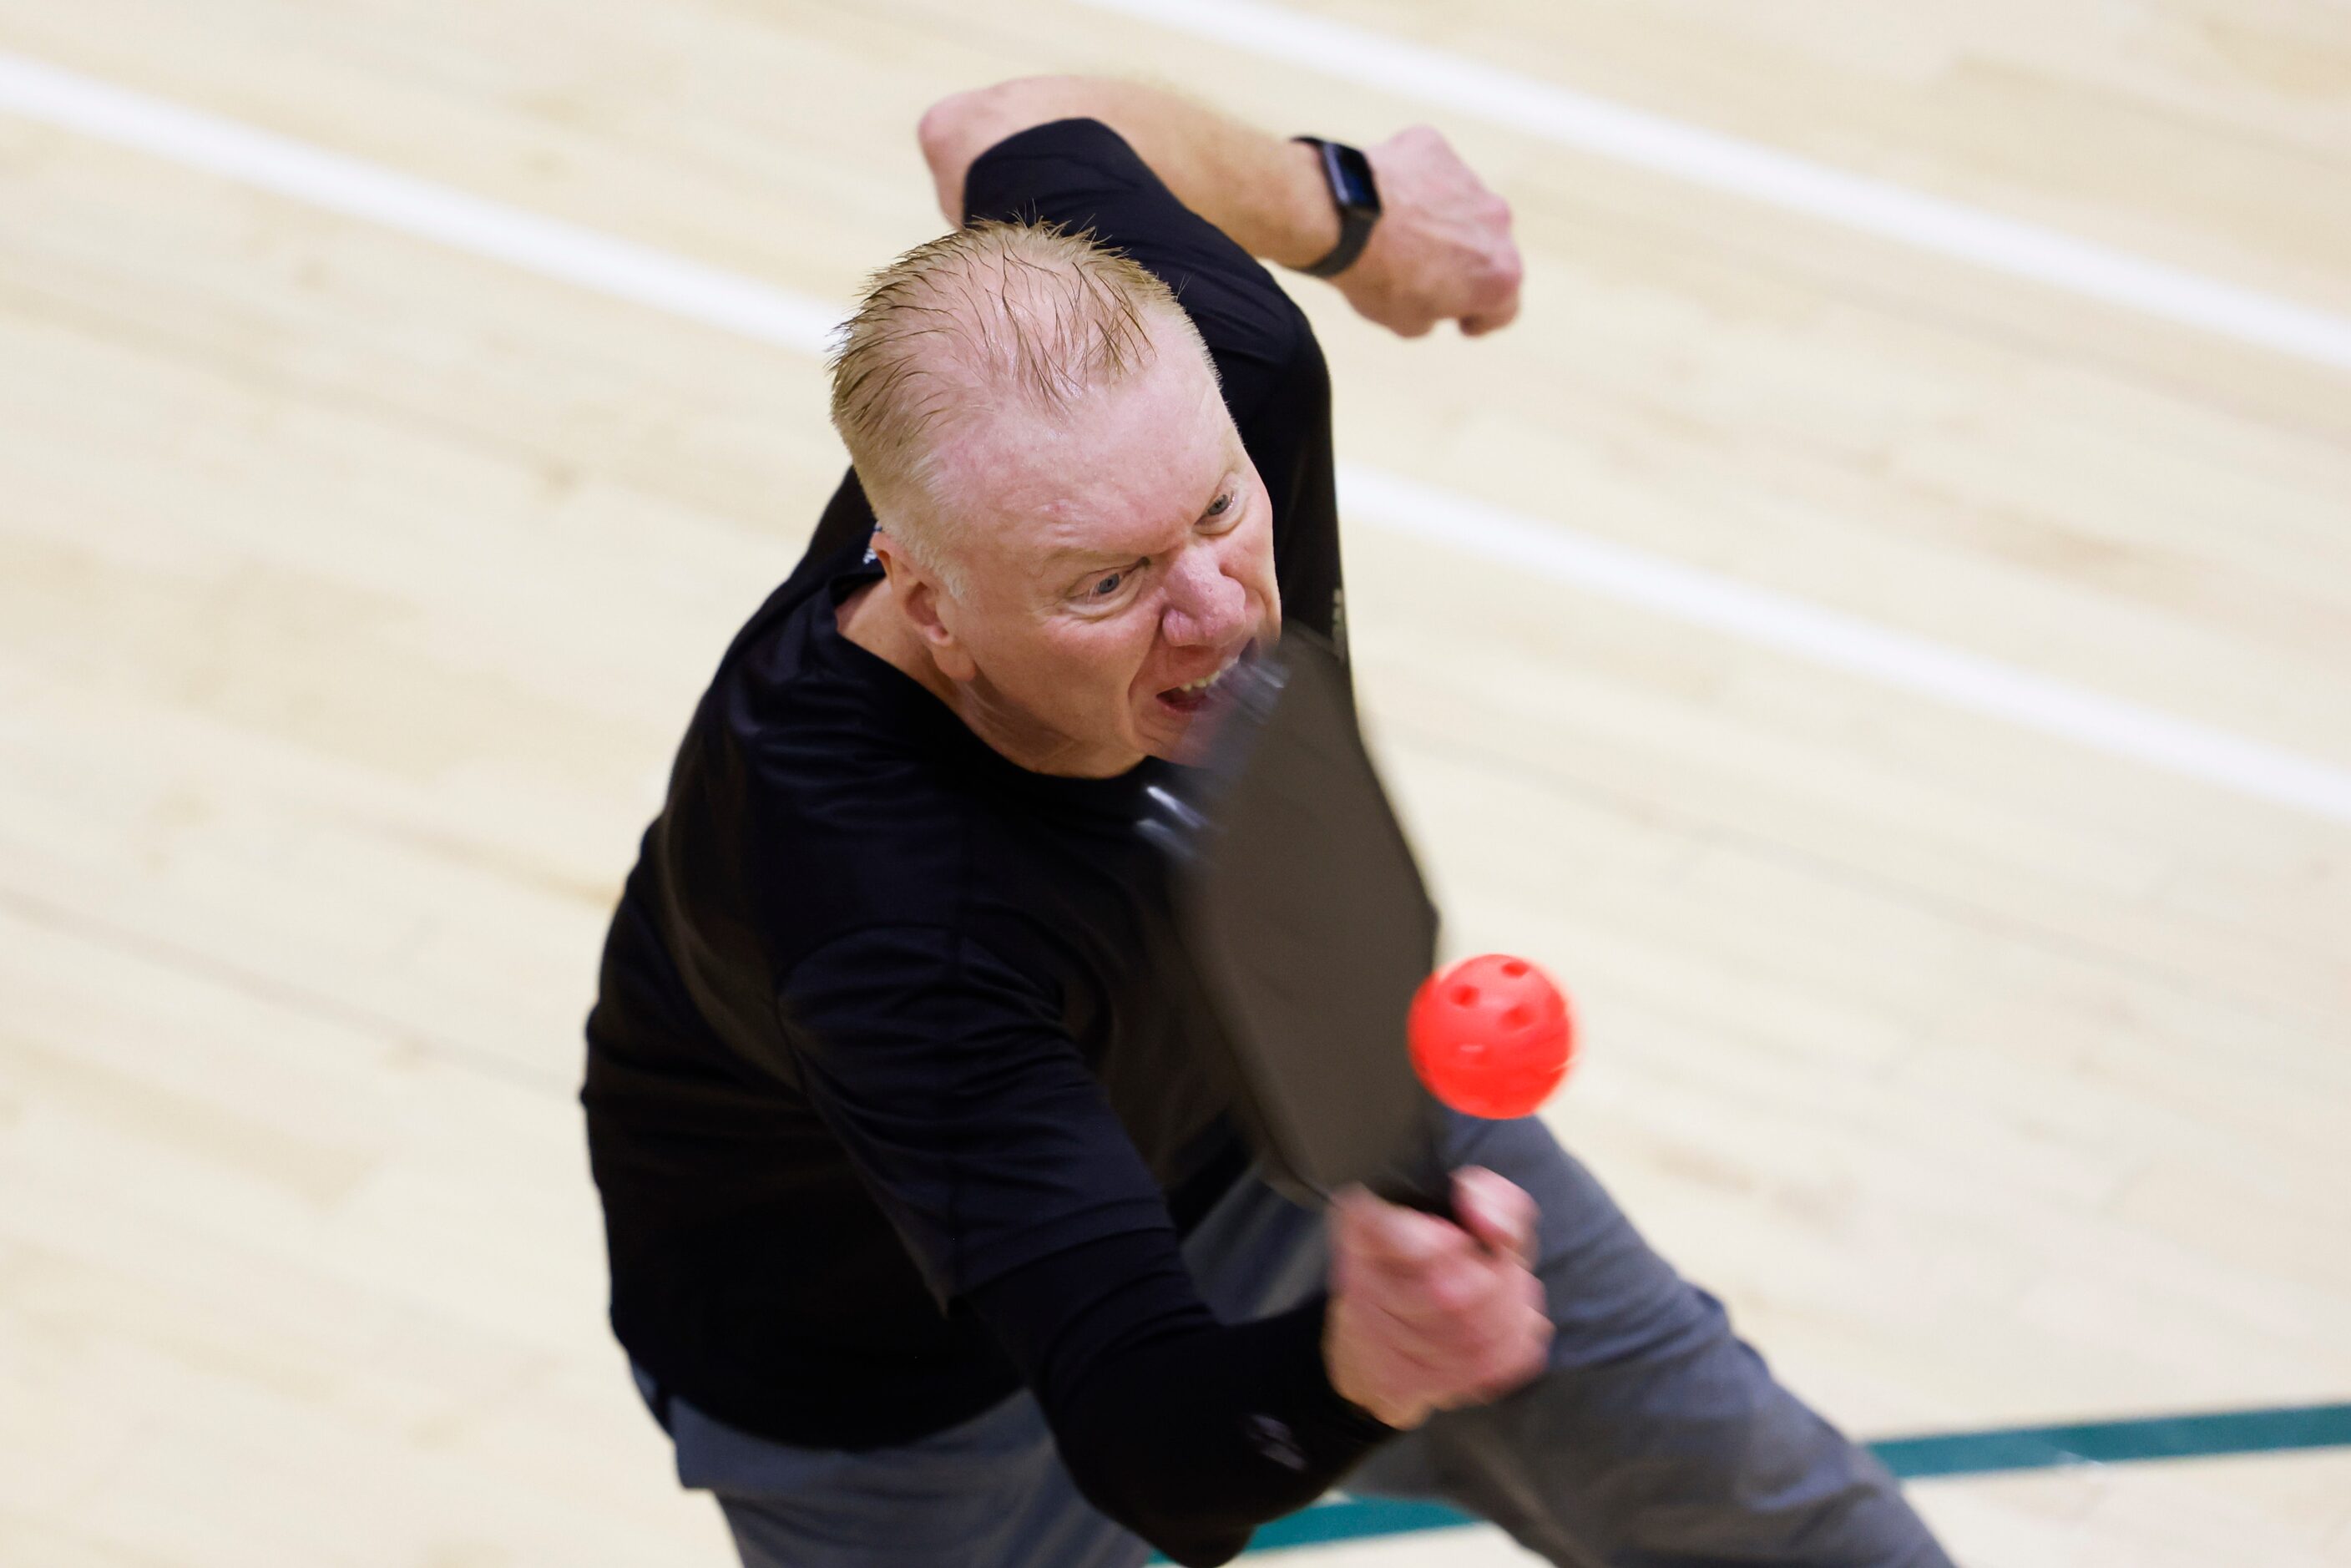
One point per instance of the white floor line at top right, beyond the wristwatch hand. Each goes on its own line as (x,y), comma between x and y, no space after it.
(1755,173)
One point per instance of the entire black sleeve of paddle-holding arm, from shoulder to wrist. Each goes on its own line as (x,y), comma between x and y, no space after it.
(989,1144)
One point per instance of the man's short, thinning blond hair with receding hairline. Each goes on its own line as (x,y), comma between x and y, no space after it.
(993,316)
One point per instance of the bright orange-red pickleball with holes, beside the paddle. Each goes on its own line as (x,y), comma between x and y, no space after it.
(1492,1036)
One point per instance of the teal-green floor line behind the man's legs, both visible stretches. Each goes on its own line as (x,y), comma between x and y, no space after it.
(1953,1454)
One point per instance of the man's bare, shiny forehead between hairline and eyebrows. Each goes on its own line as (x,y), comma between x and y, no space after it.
(1116,469)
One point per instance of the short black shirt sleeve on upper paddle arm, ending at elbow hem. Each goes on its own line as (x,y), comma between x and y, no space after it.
(963,1104)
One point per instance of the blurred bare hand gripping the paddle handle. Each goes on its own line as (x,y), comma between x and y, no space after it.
(1428,1315)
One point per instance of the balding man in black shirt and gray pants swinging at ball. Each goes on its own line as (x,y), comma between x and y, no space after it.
(930,1235)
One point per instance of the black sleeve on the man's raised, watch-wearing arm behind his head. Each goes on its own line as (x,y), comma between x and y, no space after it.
(1278,387)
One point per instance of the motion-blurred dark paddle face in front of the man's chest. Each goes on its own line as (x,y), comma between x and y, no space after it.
(1306,916)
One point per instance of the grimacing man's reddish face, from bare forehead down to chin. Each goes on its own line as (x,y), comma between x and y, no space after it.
(1116,558)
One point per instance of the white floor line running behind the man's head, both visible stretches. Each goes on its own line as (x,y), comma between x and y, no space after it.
(1447,521)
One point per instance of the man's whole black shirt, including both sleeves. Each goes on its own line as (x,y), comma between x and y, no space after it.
(897,1080)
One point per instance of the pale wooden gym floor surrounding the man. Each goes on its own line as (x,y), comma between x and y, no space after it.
(354,589)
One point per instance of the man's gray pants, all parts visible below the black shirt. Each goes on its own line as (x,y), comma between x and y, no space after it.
(1654,1440)
